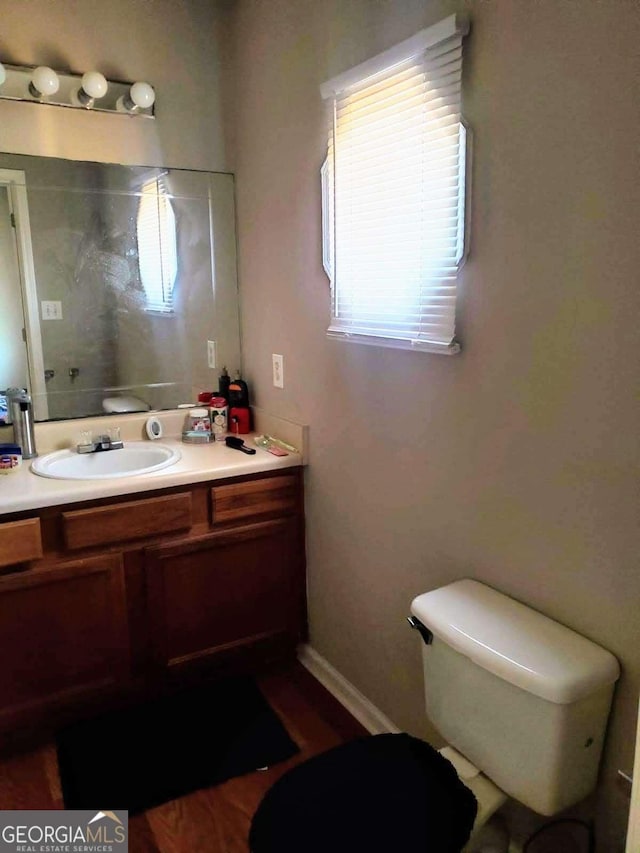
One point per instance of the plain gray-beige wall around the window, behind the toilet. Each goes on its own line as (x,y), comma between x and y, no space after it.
(517,462)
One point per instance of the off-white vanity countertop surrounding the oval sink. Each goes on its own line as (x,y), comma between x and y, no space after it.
(23,490)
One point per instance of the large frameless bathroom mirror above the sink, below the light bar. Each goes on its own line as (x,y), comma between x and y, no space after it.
(118,284)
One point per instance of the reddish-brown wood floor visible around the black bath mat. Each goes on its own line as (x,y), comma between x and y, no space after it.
(217,819)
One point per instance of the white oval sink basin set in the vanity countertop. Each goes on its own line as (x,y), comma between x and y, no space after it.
(136,457)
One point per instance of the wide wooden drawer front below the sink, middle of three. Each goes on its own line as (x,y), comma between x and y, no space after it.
(107,525)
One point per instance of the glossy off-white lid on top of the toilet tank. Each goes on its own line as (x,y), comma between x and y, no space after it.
(516,643)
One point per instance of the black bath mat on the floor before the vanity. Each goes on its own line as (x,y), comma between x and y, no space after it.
(141,757)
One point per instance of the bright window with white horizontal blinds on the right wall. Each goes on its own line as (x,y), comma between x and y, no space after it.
(394,187)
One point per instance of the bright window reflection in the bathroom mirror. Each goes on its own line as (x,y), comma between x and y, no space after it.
(157,246)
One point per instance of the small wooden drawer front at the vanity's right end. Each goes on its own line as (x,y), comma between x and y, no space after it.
(239,501)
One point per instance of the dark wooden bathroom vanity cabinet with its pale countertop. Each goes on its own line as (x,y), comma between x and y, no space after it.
(194,571)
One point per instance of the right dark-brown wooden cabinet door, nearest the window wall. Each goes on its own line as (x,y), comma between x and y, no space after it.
(212,597)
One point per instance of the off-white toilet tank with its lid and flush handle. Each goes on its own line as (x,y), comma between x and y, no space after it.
(522,697)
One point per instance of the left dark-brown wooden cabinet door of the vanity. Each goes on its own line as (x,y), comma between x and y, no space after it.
(63,637)
